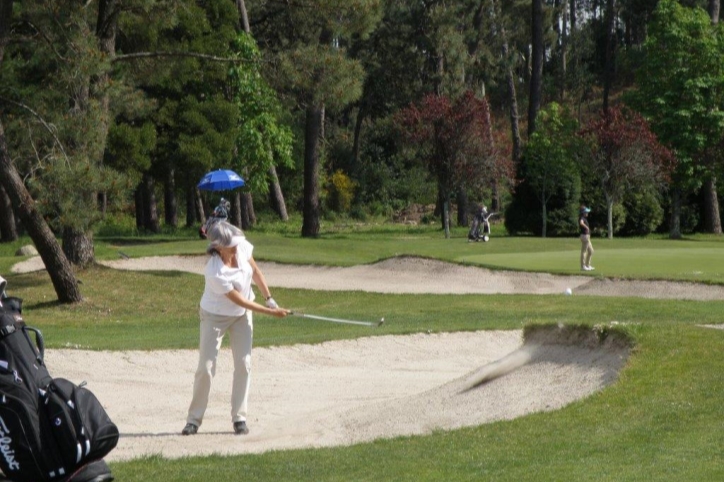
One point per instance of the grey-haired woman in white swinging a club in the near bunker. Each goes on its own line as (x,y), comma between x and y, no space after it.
(226,306)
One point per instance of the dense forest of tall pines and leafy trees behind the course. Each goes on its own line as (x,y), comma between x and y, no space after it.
(111,111)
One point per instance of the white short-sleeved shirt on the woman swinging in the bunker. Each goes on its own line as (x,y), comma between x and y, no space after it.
(221,279)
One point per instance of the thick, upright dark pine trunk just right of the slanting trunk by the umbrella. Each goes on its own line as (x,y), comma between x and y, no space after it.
(312,134)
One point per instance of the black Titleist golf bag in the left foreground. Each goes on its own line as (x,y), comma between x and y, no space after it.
(50,428)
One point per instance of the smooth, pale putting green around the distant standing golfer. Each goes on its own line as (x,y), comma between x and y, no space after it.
(692,264)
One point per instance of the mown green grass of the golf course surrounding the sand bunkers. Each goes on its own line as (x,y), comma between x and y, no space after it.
(663,420)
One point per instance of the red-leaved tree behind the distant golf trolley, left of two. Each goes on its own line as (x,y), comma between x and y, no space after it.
(455,139)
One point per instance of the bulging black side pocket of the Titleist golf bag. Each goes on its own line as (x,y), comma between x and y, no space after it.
(79,423)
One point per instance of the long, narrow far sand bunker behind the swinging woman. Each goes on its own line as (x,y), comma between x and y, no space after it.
(418,275)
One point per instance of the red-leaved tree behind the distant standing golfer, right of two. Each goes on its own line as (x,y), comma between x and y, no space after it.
(624,155)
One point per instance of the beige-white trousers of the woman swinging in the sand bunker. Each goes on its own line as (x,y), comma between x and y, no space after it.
(212,329)
